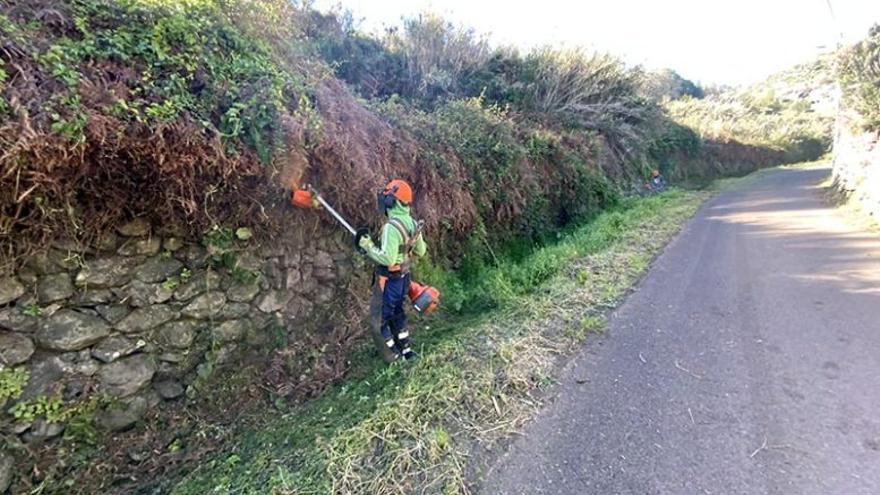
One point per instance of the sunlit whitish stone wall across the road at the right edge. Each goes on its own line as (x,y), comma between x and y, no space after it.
(856,166)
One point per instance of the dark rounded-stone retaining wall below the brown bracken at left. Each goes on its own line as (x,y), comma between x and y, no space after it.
(140,317)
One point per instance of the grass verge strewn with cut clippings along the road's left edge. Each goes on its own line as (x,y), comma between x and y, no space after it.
(410,428)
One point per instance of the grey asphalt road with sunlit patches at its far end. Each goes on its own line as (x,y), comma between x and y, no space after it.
(747,361)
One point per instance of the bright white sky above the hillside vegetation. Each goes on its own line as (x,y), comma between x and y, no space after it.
(714,42)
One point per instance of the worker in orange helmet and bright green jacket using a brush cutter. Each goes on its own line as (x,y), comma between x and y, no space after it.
(401,239)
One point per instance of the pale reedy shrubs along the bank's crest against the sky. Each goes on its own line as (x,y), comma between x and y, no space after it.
(436,62)
